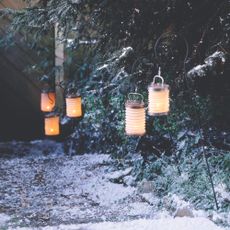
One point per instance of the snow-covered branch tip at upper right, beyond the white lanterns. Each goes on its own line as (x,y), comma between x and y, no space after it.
(210,63)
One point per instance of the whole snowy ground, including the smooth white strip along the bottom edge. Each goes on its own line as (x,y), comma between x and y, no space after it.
(41,186)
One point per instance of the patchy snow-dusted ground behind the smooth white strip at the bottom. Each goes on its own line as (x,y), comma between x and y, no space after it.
(38,188)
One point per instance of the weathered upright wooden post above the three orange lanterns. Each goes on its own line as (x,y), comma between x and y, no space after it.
(59,61)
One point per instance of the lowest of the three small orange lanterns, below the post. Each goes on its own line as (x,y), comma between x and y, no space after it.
(52,126)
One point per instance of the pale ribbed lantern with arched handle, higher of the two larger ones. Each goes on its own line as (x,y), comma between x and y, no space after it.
(158,97)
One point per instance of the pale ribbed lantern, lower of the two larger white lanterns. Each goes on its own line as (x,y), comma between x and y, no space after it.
(135,116)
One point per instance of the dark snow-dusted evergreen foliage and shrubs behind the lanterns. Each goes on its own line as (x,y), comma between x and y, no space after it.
(114,47)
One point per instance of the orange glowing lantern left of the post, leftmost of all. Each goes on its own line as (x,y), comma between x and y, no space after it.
(48,99)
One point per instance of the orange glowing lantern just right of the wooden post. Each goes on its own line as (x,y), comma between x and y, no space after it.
(73,106)
